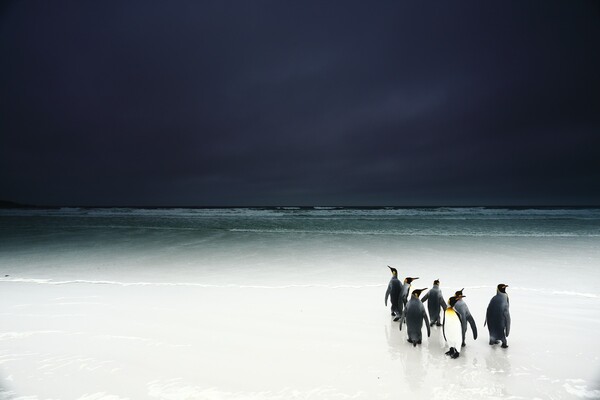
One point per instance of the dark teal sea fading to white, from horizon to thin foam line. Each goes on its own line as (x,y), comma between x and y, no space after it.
(314,245)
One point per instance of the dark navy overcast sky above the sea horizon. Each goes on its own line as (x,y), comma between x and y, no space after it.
(300,102)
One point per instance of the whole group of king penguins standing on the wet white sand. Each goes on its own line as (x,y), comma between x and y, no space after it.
(407,308)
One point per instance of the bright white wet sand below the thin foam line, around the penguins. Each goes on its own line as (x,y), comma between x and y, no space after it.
(106,341)
